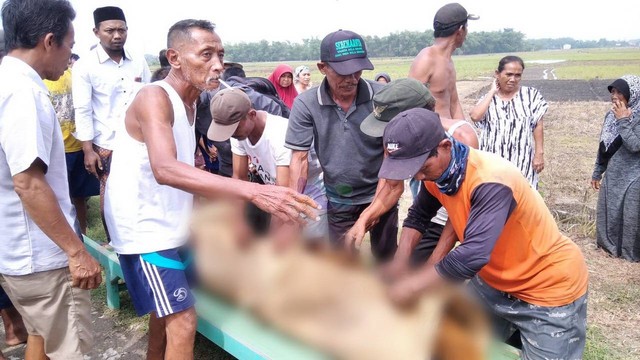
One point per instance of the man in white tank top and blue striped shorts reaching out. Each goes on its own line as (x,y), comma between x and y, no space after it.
(149,194)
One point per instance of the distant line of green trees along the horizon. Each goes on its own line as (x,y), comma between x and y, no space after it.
(407,44)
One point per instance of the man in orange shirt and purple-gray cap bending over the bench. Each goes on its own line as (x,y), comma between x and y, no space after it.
(530,276)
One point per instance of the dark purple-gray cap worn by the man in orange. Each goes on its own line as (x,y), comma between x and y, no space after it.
(408,140)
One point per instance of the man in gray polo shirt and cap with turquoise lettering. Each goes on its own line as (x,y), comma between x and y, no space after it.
(331,115)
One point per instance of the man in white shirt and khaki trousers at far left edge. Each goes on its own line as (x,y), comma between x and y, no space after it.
(44,267)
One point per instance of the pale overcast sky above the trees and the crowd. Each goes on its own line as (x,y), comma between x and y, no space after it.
(294,20)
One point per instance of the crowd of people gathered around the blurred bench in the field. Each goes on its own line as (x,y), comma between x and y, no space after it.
(327,162)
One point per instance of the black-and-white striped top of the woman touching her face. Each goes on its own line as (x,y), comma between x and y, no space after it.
(507,129)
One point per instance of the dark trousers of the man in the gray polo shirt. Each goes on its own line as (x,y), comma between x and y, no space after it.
(384,235)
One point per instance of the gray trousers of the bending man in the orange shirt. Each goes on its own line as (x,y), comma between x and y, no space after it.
(557,332)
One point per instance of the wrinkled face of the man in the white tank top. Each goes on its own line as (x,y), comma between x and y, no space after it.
(202,59)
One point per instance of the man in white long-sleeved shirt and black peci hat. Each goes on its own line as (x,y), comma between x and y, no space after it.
(104,82)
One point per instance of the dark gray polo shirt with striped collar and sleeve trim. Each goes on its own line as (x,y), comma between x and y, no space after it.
(349,158)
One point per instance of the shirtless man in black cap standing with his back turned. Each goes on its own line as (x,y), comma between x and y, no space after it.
(433,65)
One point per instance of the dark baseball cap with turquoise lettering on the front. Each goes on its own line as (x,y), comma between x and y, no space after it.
(345,51)
